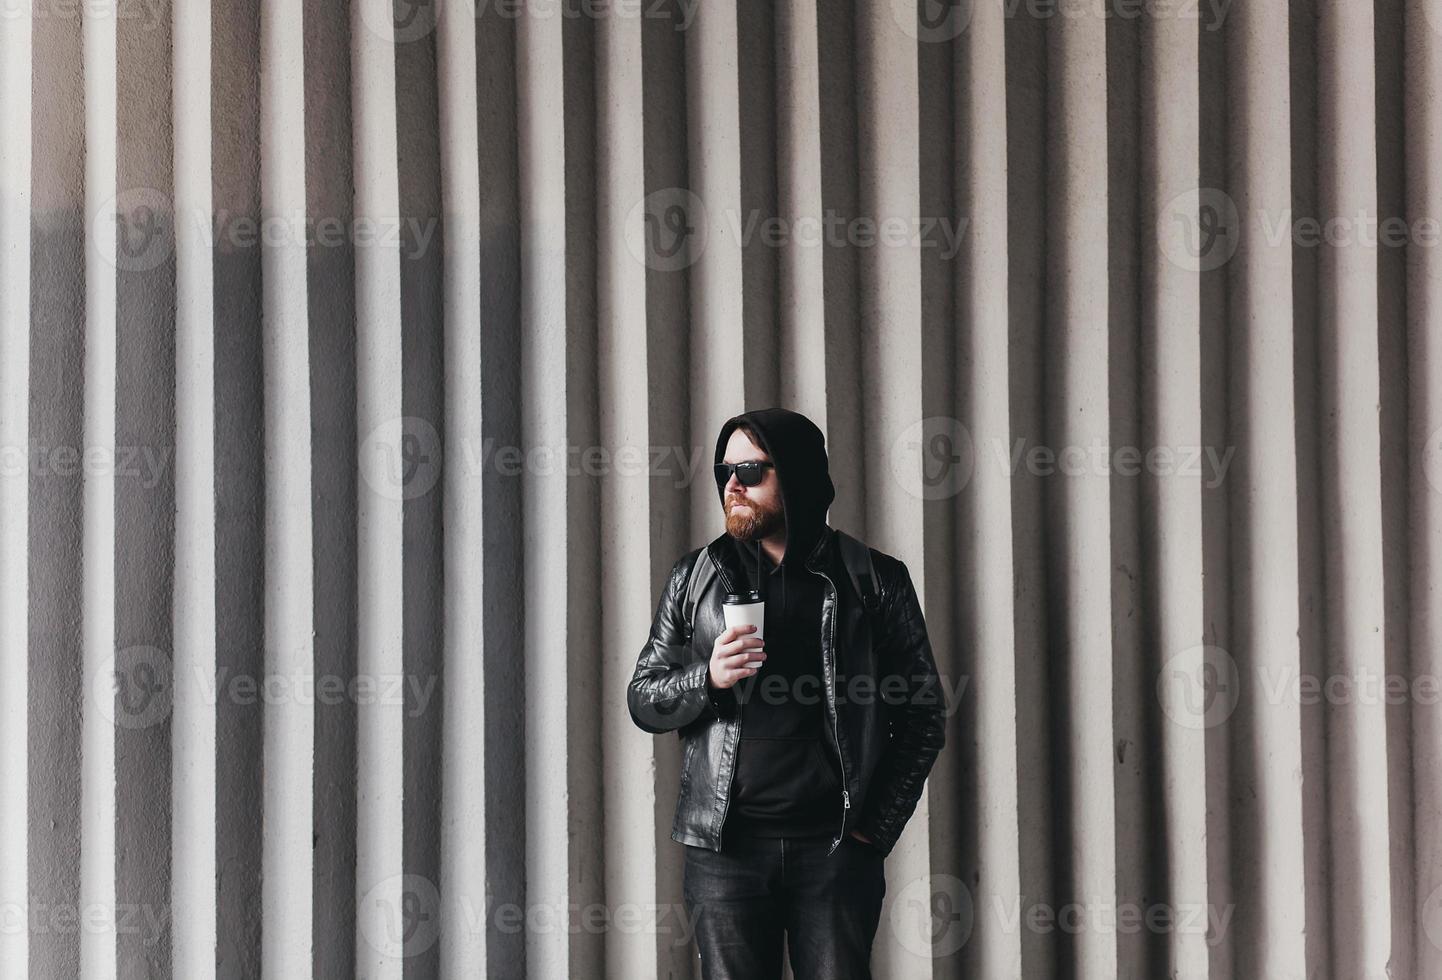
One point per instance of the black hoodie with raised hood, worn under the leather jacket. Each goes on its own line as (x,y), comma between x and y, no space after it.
(788,780)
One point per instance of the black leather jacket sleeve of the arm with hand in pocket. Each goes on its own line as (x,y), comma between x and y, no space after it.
(916,720)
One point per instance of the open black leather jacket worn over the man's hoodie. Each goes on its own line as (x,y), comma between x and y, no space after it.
(888,737)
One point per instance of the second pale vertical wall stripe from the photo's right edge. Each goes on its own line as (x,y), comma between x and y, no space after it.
(1350,435)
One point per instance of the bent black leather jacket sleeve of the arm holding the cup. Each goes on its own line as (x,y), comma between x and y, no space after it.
(665,692)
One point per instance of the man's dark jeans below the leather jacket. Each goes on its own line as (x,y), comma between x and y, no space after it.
(745,897)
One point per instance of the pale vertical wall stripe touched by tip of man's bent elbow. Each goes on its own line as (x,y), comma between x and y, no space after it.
(637,769)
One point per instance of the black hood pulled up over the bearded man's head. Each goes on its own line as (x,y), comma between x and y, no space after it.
(798,452)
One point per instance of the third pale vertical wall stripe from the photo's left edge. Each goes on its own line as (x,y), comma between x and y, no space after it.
(194,890)
